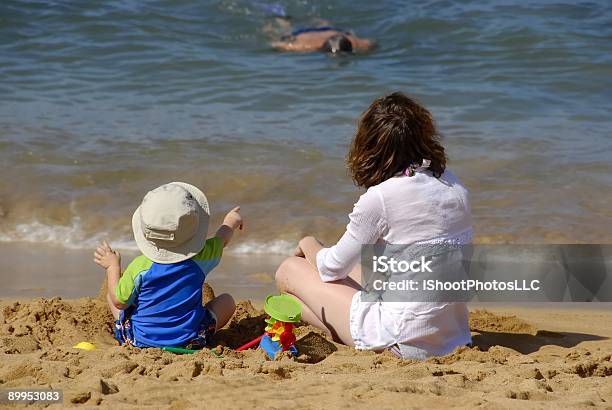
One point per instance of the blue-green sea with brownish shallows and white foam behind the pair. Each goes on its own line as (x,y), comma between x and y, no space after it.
(102,100)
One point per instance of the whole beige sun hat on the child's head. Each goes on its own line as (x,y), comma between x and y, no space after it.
(171,223)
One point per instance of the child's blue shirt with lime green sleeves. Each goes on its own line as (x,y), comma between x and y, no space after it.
(166,299)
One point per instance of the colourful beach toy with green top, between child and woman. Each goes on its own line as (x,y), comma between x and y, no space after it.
(283,311)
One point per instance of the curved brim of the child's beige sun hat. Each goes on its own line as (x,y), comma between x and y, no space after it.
(184,251)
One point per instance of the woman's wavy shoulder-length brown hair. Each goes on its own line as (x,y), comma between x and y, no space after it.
(394,134)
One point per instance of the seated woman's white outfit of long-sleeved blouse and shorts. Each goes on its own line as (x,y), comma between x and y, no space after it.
(404,210)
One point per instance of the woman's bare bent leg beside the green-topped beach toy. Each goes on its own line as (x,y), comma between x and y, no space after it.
(325,304)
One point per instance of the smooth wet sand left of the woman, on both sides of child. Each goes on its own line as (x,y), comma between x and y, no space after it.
(44,270)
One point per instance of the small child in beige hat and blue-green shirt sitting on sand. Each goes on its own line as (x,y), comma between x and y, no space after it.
(157,302)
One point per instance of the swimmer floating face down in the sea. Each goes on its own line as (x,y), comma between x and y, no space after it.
(324,38)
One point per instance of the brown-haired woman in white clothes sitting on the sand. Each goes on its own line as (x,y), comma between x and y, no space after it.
(411,198)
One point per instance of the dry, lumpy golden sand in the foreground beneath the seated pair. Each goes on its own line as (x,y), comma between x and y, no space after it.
(521,358)
